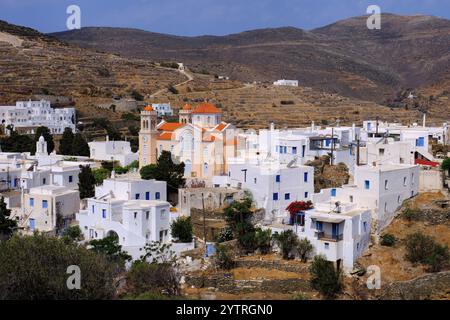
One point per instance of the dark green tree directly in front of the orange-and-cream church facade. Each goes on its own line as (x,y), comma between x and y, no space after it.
(166,170)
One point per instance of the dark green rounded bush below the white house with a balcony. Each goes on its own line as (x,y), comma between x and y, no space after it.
(325,277)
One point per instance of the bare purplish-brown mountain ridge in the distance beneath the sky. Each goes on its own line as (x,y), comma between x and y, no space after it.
(344,57)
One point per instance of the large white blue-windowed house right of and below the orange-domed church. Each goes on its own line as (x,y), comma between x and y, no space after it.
(273,185)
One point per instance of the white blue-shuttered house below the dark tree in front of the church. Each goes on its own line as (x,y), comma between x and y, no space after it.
(134,210)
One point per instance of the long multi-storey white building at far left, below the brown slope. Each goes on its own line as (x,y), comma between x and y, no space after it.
(27,116)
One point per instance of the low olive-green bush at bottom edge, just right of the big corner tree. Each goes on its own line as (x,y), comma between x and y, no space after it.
(157,278)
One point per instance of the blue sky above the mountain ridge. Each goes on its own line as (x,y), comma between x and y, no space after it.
(200,17)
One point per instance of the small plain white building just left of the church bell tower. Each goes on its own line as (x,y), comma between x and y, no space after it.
(113,150)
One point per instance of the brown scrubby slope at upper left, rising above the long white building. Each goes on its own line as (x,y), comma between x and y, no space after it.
(35,64)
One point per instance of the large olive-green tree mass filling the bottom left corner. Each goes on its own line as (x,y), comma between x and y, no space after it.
(35,268)
